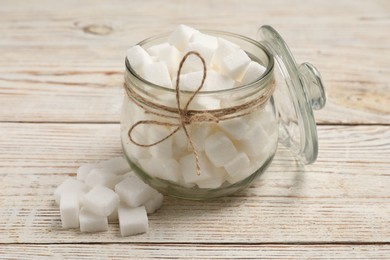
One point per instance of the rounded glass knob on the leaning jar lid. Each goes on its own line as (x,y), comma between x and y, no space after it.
(314,87)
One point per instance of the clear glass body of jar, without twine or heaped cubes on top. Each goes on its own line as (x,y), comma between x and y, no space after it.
(232,152)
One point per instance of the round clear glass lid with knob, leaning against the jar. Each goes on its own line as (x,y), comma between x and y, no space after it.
(295,100)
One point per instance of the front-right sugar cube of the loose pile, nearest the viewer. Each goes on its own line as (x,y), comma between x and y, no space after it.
(132,220)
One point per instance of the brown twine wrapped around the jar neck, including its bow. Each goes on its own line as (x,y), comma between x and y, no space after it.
(186,116)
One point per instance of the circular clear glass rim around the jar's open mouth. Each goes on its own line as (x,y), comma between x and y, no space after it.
(259,81)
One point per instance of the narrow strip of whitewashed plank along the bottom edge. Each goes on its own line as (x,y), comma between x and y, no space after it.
(164,251)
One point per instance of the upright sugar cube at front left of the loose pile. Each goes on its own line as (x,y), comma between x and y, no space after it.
(69,209)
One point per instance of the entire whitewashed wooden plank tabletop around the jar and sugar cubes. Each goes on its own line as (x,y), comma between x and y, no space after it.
(61,76)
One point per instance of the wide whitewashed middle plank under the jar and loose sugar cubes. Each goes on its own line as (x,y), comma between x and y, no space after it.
(342,198)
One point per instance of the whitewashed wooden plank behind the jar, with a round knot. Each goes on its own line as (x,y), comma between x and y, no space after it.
(71,63)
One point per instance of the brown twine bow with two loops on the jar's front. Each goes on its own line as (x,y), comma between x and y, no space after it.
(184,117)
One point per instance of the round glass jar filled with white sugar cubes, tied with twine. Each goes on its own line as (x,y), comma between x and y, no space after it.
(205,144)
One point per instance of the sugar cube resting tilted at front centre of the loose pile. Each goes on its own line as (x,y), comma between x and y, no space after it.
(101,201)
